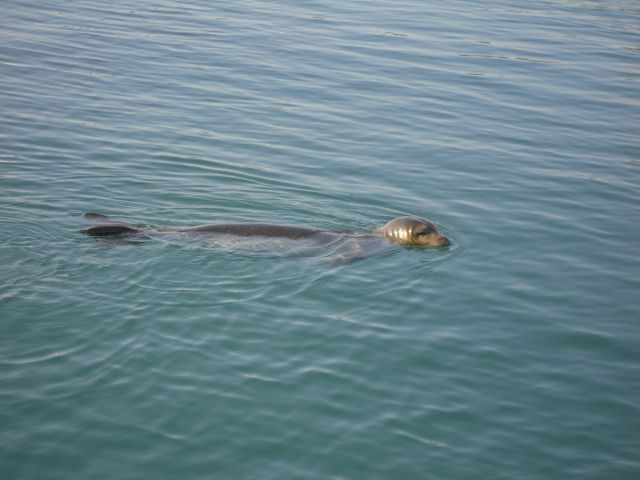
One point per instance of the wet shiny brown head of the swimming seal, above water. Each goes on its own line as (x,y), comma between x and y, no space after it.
(413,231)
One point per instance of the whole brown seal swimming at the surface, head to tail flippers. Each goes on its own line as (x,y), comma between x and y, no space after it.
(404,231)
